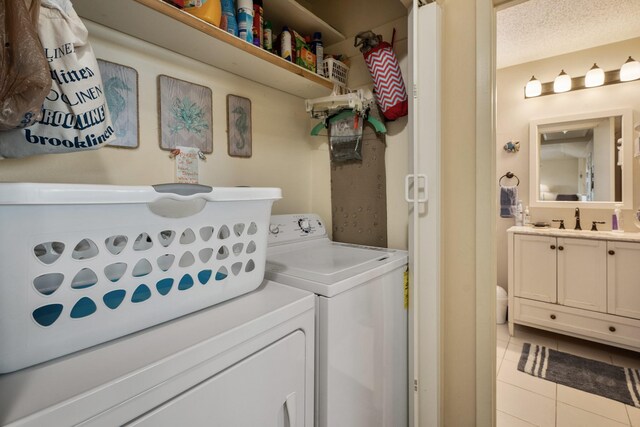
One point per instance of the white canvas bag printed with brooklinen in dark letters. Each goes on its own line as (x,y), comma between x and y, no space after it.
(75,115)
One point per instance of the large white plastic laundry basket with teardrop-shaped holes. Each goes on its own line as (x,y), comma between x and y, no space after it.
(84,264)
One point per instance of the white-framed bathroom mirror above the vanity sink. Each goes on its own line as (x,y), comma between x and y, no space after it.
(583,160)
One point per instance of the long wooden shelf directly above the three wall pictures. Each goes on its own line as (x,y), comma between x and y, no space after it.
(164,25)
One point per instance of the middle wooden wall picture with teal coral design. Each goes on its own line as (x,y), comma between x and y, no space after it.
(186,115)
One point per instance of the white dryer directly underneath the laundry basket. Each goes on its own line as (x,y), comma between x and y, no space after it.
(246,362)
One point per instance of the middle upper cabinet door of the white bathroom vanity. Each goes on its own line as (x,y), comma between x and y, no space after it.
(582,273)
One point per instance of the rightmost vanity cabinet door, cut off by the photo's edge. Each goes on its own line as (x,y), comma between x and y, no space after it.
(623,265)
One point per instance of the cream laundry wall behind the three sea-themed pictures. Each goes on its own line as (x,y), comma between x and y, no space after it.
(282,148)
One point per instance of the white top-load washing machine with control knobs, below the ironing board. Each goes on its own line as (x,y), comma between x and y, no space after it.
(361,324)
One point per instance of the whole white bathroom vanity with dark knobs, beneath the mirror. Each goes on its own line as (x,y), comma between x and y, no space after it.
(580,283)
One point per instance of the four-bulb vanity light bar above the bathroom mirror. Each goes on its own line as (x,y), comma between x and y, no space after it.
(595,77)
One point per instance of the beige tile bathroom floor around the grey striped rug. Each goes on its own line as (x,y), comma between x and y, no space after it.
(525,401)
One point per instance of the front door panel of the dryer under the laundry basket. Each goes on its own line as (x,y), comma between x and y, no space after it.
(266,389)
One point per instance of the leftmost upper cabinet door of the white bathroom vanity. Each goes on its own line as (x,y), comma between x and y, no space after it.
(535,267)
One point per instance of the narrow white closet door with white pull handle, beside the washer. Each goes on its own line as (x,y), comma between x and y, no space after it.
(423,194)
